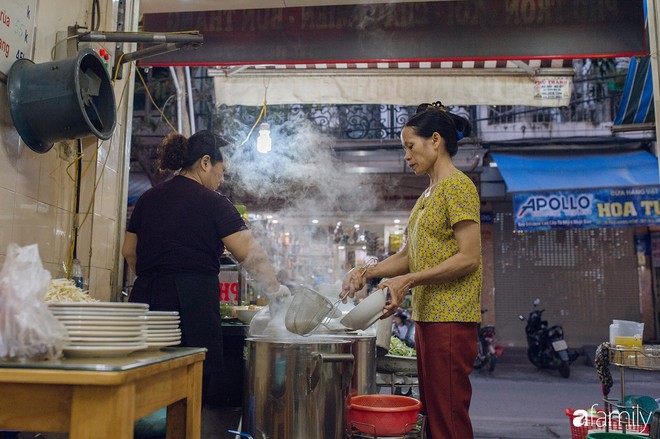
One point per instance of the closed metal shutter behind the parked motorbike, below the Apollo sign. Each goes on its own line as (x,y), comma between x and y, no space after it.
(584,278)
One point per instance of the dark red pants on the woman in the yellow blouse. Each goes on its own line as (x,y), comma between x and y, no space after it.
(445,357)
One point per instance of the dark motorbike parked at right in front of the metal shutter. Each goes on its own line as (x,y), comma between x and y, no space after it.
(546,347)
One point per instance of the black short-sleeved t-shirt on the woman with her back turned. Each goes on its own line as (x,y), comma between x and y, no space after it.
(180,225)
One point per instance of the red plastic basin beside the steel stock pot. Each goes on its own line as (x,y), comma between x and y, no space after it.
(387,414)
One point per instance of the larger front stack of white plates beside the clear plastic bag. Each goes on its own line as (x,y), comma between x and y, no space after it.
(102,329)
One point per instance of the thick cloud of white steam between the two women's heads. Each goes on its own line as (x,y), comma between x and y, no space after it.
(301,174)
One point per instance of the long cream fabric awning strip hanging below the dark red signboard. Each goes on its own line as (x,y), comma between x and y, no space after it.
(398,86)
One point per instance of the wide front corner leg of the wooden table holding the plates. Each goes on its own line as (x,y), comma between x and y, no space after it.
(103,412)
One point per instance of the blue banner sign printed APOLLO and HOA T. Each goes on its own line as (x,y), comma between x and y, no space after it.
(581,209)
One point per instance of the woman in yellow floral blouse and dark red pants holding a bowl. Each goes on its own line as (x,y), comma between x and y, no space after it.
(441,263)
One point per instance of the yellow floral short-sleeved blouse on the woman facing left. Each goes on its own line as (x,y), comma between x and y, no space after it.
(431,240)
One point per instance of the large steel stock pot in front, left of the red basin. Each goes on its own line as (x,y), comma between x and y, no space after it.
(297,389)
